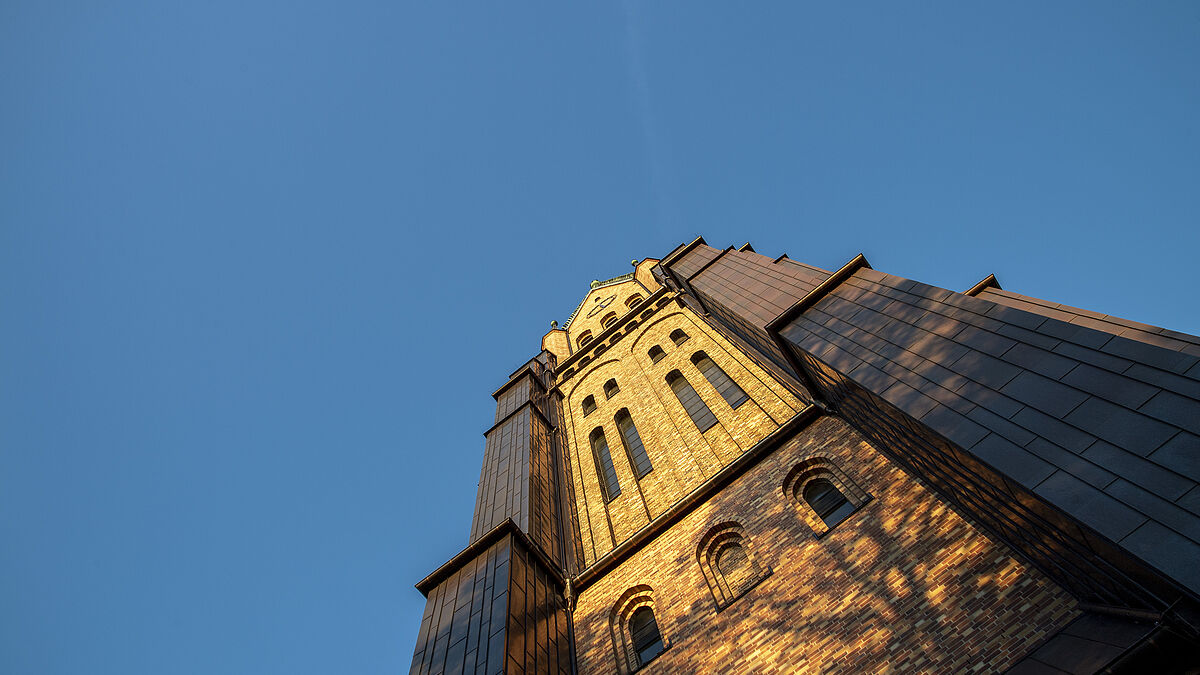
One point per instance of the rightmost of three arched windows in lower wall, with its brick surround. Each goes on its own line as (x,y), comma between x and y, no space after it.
(825,494)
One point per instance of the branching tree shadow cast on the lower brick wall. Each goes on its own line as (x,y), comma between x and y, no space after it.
(917,587)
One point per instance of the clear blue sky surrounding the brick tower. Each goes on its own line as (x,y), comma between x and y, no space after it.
(262,264)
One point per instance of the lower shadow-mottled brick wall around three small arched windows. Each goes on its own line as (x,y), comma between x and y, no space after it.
(903,586)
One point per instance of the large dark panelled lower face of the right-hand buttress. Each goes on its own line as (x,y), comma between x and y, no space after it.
(1051,421)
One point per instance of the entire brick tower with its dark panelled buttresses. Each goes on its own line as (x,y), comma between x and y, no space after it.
(728,463)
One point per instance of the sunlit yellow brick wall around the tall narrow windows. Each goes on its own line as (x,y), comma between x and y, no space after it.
(682,457)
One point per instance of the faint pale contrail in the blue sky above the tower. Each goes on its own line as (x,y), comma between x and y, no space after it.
(662,183)
